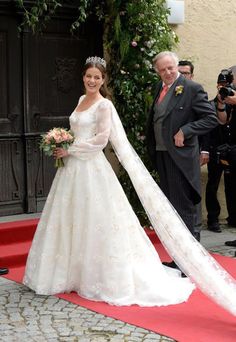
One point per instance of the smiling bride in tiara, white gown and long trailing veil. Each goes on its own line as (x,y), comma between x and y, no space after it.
(90,241)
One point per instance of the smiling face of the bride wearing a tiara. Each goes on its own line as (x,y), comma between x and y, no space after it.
(93,80)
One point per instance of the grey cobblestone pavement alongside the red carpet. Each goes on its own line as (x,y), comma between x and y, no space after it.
(26,317)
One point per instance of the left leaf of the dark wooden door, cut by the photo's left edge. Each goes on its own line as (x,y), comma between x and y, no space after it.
(12,176)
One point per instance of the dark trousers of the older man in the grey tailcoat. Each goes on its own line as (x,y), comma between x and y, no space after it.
(177,189)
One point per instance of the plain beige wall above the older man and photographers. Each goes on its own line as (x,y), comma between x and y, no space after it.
(208,38)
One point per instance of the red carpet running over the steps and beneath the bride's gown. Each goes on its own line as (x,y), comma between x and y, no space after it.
(198,320)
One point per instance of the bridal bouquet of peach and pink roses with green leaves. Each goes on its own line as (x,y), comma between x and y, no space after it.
(56,137)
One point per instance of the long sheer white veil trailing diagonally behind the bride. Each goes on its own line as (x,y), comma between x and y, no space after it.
(187,252)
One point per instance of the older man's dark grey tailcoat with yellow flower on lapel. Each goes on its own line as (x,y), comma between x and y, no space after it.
(191,112)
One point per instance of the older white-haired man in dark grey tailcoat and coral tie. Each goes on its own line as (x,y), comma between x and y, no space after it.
(172,136)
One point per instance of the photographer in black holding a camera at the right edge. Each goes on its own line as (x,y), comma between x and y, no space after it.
(222,160)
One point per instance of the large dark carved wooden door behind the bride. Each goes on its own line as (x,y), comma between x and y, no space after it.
(40,83)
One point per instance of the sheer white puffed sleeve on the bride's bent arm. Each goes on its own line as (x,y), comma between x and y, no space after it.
(98,142)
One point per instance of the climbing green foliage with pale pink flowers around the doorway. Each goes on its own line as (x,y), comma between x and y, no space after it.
(134,32)
